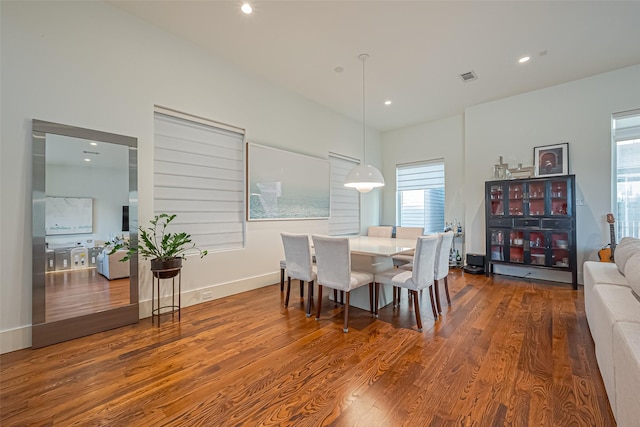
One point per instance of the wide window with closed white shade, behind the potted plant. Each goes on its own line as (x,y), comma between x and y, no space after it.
(199,175)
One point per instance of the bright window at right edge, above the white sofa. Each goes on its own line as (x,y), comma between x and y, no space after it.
(626,137)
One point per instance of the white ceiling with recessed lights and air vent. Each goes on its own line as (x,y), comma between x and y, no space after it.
(418,49)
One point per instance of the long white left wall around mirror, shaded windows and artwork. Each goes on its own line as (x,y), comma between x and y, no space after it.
(90,65)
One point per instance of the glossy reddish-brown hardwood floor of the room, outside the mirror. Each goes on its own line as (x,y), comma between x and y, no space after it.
(508,352)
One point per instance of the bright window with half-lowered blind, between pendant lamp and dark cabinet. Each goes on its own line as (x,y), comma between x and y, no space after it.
(420,193)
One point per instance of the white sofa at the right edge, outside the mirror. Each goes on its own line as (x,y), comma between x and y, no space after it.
(612,306)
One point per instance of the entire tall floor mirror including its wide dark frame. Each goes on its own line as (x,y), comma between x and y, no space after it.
(84,197)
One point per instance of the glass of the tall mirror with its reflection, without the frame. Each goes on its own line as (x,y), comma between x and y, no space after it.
(86,207)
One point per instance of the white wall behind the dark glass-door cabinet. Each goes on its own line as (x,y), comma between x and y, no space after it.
(578,112)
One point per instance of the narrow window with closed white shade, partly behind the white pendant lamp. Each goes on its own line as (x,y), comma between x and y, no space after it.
(345,202)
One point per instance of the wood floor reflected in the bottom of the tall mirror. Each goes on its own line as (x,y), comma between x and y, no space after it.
(73,293)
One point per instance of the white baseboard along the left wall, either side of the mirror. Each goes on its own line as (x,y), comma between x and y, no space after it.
(20,338)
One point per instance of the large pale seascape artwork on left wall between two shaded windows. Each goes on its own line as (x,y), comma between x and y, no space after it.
(283,185)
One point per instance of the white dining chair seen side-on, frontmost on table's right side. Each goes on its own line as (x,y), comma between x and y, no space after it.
(419,278)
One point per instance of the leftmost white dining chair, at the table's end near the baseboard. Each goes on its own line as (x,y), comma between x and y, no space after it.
(299,265)
